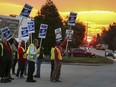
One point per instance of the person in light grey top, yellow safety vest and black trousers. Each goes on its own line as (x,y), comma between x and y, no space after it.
(32,57)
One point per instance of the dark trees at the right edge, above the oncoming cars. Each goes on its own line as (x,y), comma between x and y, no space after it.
(108,37)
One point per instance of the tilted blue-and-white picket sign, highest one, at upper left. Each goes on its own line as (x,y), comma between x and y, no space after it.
(26,10)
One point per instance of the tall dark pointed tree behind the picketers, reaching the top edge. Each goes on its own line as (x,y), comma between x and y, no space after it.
(49,15)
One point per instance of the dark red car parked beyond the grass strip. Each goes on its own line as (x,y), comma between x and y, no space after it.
(80,52)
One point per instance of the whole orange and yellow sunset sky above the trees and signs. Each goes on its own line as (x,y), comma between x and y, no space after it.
(97,13)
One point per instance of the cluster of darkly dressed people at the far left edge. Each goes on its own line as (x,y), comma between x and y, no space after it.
(7,59)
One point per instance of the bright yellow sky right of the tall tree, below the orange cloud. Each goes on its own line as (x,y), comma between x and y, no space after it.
(96,19)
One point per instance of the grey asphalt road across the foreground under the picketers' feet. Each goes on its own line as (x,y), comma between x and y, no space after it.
(73,75)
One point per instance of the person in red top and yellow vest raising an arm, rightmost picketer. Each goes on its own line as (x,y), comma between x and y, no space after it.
(58,57)
